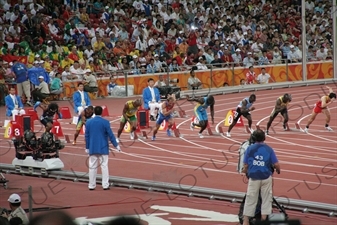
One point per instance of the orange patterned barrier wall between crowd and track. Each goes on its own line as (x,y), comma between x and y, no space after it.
(215,78)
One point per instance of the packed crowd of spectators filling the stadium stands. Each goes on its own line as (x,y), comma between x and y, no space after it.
(103,37)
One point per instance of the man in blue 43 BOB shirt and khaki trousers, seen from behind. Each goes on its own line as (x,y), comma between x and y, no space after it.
(258,160)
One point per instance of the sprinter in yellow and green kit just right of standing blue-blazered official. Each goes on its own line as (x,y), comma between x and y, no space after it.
(129,116)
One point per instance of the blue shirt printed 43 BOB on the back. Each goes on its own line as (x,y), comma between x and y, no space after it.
(259,157)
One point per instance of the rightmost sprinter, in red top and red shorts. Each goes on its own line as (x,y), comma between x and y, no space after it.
(322,106)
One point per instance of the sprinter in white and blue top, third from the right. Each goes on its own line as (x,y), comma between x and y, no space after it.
(243,109)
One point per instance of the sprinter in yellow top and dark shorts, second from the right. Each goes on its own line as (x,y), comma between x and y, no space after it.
(280,107)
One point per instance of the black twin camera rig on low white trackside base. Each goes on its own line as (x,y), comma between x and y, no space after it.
(45,147)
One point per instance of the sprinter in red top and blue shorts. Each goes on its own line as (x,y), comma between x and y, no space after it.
(165,114)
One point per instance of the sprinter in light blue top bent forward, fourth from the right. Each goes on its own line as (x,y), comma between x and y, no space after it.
(200,111)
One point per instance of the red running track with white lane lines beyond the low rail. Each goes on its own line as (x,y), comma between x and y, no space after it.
(308,161)
